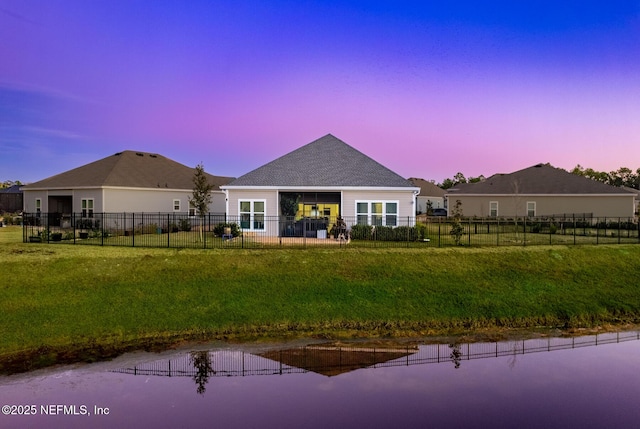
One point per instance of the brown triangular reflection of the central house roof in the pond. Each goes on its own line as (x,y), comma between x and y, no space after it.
(331,360)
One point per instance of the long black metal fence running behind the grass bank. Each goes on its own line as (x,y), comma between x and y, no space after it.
(179,230)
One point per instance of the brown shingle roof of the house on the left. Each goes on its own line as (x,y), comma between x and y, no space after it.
(128,169)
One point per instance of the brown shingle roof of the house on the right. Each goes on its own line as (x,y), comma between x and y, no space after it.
(538,179)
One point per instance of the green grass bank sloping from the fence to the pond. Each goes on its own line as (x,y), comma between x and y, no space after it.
(61,297)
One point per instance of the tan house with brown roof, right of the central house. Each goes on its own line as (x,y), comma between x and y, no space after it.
(541,190)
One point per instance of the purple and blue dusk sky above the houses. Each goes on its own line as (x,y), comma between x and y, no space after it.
(426,88)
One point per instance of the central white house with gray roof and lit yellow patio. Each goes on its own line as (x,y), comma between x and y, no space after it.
(316,183)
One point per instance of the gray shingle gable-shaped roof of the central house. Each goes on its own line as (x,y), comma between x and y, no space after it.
(328,162)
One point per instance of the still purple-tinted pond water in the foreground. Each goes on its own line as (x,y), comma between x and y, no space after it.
(582,382)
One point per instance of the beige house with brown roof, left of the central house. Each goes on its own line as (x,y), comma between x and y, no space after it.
(128,181)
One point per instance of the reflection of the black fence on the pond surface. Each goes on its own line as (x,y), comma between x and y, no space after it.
(227,363)
